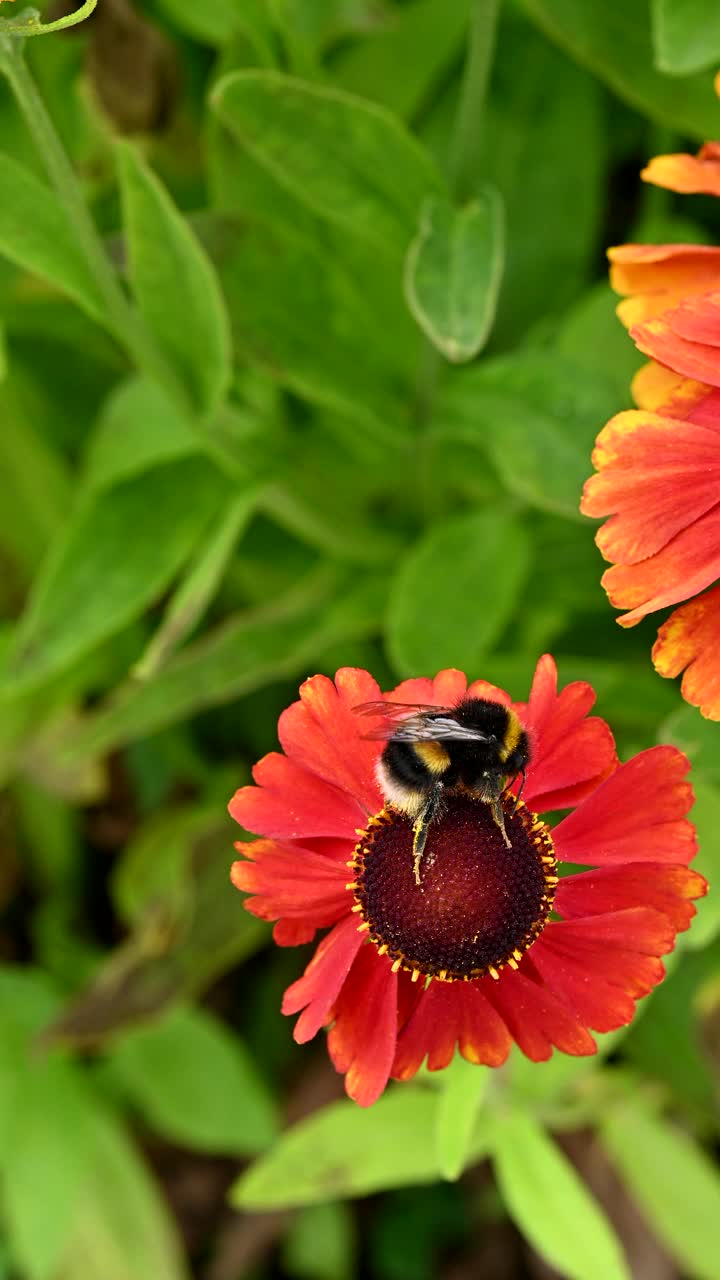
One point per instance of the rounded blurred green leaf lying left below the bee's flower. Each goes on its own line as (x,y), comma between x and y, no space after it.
(195,1084)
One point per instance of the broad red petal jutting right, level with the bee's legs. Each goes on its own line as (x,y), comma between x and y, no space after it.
(637,815)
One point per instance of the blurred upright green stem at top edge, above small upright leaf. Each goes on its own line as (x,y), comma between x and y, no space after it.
(473,92)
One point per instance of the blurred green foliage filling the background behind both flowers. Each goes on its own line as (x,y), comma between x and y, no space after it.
(244,438)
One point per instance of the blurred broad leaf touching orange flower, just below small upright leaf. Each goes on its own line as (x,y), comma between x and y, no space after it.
(536,417)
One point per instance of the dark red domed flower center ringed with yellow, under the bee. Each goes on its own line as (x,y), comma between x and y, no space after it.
(480,904)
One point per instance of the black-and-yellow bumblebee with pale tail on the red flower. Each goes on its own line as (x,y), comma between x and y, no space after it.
(477,747)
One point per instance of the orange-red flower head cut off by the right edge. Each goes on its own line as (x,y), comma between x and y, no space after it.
(659,468)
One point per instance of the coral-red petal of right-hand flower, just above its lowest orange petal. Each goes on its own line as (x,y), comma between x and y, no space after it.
(686,566)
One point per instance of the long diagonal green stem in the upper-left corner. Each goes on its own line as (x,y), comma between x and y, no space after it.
(122,318)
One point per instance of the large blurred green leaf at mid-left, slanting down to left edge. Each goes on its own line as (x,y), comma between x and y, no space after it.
(120,551)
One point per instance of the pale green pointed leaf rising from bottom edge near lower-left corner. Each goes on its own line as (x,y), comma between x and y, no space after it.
(122,1228)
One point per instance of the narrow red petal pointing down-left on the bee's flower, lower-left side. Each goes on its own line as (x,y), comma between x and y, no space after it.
(323,979)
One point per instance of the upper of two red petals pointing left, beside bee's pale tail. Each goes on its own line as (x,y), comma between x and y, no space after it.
(289,802)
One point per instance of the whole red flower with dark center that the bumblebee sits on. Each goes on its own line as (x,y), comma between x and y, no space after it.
(468,958)
